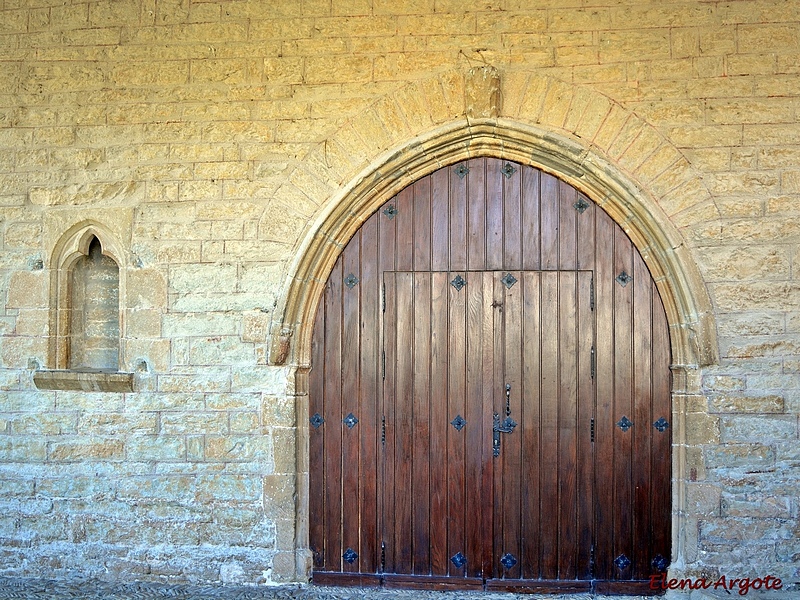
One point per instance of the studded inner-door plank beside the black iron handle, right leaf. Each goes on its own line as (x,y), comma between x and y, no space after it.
(512,506)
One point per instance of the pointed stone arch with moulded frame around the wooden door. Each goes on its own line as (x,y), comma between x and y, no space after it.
(584,138)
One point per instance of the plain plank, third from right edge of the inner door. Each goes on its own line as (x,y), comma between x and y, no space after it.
(550,384)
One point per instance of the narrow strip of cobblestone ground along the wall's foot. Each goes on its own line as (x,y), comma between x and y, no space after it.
(24,589)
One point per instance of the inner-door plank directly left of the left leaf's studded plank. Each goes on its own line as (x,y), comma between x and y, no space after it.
(441,429)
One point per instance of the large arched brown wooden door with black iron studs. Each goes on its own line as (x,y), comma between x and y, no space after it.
(490,394)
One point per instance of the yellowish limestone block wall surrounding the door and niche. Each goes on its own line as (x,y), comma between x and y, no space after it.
(215,146)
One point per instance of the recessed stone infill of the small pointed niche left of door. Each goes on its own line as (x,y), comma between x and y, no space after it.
(94,308)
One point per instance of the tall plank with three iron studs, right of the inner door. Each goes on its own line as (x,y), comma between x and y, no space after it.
(623,404)
